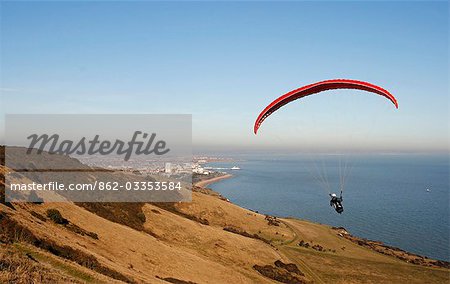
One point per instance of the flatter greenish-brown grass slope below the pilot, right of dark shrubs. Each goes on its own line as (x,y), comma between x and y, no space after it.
(354,263)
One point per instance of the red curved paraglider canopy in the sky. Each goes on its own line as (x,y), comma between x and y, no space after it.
(317,88)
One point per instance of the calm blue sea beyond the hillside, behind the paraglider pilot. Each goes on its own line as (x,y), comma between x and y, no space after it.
(385,197)
